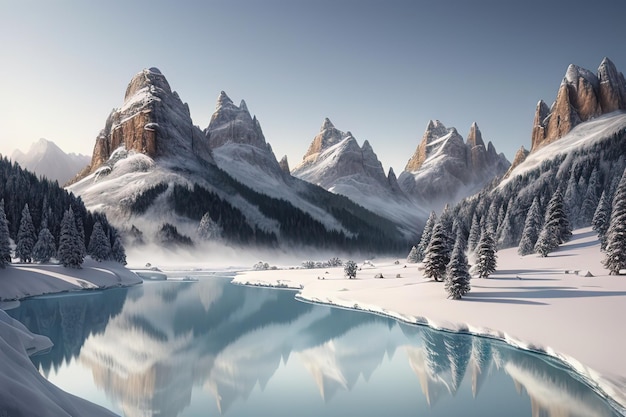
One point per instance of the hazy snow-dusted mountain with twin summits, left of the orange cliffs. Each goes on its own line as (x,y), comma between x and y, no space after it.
(444,168)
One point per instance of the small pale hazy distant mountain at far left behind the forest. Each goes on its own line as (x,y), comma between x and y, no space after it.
(45,158)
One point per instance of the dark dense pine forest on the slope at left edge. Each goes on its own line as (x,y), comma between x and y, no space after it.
(43,219)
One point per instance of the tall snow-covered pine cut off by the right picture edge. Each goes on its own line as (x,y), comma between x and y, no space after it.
(616,234)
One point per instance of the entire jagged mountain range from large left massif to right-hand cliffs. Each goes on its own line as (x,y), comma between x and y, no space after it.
(152,167)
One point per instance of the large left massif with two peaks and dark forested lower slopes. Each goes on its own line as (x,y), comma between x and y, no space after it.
(155,174)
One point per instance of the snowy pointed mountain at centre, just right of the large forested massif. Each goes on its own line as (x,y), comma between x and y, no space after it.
(336,162)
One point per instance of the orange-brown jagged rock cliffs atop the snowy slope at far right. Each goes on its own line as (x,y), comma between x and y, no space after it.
(582,96)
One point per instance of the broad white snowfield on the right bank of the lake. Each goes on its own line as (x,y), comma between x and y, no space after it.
(541,304)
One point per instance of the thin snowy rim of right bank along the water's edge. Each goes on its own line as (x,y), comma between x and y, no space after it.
(610,390)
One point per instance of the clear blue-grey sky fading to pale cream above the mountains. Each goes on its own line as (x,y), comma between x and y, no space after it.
(380,69)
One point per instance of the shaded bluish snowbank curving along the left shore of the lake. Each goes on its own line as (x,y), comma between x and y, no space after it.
(24,391)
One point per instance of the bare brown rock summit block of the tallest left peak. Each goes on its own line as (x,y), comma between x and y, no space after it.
(152,121)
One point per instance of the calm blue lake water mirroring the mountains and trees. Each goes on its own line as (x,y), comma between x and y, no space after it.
(154,349)
